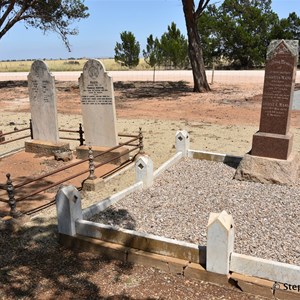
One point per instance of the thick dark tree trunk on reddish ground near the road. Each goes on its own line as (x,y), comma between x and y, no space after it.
(195,50)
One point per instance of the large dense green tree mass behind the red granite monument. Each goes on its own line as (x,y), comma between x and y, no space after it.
(239,31)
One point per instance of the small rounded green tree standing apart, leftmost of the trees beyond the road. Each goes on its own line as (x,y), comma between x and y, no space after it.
(127,53)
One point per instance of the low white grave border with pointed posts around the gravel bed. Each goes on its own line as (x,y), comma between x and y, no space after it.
(216,263)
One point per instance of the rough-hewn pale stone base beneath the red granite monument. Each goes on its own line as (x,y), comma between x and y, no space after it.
(268,170)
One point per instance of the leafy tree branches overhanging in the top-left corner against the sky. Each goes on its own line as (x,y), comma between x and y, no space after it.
(56,16)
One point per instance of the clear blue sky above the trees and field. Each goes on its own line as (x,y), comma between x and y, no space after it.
(99,33)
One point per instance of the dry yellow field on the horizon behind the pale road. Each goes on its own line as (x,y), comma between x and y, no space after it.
(66,65)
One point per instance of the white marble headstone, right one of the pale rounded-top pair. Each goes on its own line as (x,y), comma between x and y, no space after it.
(98,105)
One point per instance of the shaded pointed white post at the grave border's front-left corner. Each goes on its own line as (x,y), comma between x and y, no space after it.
(68,206)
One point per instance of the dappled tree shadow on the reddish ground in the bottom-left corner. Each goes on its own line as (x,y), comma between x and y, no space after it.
(33,265)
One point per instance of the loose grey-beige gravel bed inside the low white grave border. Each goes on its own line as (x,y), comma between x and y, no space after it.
(266,216)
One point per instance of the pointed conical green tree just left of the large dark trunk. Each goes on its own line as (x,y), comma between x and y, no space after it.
(173,48)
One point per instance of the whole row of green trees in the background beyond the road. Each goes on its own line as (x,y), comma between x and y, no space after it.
(233,35)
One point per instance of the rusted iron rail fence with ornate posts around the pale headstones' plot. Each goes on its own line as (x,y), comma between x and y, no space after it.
(134,145)
